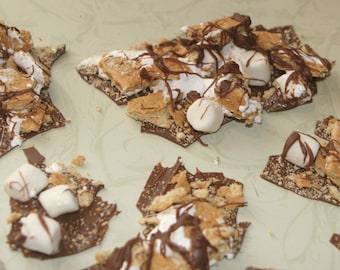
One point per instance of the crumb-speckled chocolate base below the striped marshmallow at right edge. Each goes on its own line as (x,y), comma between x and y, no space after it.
(306,183)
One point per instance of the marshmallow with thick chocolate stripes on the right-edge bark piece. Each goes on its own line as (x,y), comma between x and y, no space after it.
(301,149)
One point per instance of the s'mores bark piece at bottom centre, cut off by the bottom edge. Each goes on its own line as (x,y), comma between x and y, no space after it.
(190,222)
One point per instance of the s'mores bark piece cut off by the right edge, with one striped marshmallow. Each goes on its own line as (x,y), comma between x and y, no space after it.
(308,167)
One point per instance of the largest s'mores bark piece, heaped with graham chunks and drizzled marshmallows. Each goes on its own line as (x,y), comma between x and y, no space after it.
(214,72)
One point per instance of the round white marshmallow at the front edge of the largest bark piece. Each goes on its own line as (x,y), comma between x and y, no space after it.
(205,115)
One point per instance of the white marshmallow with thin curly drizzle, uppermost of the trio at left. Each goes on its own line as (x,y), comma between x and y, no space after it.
(25,183)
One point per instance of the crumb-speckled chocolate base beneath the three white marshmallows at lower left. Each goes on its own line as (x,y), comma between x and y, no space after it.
(82,229)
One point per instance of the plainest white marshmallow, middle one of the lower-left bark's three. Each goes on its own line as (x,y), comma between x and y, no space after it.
(58,200)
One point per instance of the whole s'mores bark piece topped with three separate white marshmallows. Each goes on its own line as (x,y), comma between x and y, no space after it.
(55,211)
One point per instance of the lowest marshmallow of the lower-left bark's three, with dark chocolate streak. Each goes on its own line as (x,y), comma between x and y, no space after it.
(42,234)
